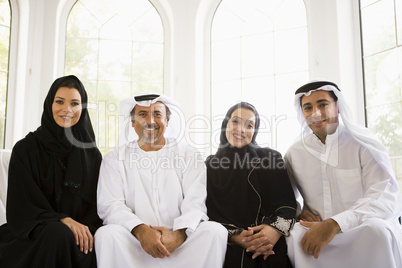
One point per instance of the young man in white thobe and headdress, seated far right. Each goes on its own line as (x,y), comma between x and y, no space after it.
(351,199)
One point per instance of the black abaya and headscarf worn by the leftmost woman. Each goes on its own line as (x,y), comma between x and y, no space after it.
(49,179)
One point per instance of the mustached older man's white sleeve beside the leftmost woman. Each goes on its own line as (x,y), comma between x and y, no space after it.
(112,208)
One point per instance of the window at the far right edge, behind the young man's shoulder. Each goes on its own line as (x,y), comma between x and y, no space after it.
(381,23)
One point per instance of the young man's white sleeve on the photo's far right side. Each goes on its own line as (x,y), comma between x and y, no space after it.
(379,199)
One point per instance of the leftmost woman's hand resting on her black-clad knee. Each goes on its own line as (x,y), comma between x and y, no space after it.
(83,236)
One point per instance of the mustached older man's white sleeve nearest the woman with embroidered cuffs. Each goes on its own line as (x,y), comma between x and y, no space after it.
(193,208)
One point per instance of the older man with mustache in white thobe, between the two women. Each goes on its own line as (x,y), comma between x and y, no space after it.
(151,194)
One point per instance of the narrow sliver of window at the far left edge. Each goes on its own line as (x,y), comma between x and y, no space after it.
(5,21)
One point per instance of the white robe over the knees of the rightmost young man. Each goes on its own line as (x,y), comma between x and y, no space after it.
(370,245)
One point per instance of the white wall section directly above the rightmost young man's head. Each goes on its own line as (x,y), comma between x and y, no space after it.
(334,48)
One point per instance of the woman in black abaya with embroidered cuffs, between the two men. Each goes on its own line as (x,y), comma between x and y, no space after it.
(249,193)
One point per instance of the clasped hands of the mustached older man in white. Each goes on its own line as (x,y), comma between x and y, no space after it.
(159,242)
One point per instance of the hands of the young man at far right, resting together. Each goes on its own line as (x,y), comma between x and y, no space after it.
(319,234)
